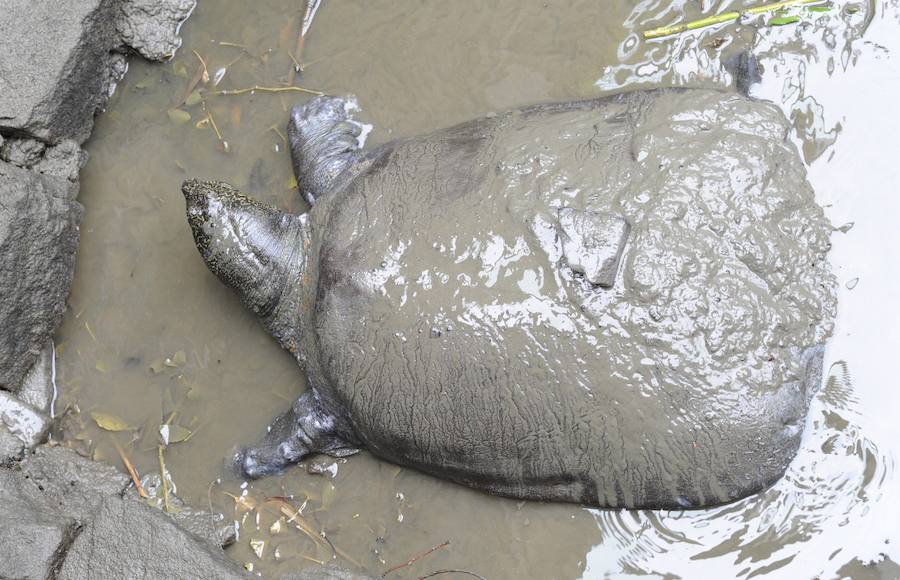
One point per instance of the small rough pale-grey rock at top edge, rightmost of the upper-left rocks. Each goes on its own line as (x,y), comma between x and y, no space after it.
(151,26)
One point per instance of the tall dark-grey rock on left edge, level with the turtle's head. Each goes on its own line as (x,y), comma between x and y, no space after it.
(38,239)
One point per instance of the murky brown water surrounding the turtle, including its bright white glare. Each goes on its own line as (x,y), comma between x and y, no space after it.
(152,337)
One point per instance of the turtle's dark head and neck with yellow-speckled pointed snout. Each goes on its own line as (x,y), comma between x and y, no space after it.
(253,248)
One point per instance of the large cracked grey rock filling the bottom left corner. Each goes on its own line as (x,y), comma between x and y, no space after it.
(65,516)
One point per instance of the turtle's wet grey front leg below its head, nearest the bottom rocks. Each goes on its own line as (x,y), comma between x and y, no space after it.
(306,429)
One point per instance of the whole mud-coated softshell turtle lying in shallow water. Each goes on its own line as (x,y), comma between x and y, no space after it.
(619,301)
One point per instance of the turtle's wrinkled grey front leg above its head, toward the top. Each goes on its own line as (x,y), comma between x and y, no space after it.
(324,143)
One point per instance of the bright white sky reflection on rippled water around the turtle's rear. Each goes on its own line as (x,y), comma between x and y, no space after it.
(840,499)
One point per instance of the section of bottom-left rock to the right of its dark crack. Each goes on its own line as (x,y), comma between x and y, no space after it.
(127,539)
